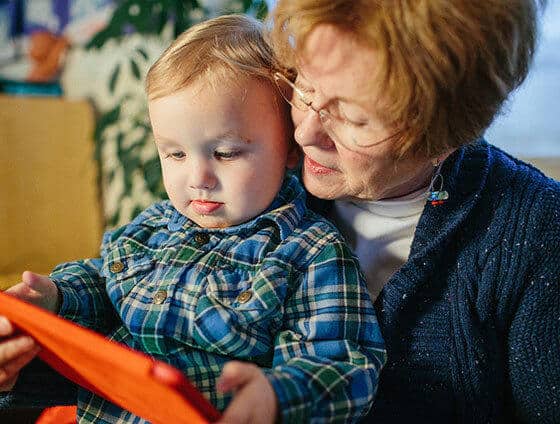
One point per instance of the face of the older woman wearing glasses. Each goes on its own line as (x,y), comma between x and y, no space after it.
(338,73)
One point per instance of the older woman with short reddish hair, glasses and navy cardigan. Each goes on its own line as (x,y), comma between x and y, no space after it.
(460,242)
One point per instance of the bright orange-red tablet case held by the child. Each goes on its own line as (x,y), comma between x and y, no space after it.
(148,388)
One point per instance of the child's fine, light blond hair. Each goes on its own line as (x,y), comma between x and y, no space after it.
(225,48)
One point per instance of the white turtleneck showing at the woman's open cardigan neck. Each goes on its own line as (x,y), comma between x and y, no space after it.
(380,233)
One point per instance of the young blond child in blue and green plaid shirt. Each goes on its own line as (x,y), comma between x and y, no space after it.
(233,266)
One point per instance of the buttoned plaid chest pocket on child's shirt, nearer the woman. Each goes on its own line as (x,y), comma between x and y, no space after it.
(237,313)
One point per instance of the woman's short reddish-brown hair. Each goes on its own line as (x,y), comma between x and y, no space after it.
(446,65)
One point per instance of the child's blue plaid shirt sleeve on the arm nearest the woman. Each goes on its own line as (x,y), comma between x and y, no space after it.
(328,356)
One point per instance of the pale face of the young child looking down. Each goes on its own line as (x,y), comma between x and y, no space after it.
(223,152)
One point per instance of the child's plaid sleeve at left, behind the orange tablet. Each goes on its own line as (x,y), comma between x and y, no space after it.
(84,297)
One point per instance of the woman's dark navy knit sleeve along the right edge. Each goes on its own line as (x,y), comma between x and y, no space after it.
(534,337)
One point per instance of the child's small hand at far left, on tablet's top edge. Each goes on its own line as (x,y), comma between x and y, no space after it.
(37,289)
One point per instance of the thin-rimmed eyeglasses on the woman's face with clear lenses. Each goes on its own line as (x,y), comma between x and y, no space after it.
(338,128)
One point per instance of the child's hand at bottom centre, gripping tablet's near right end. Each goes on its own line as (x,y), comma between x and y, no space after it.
(254,399)
